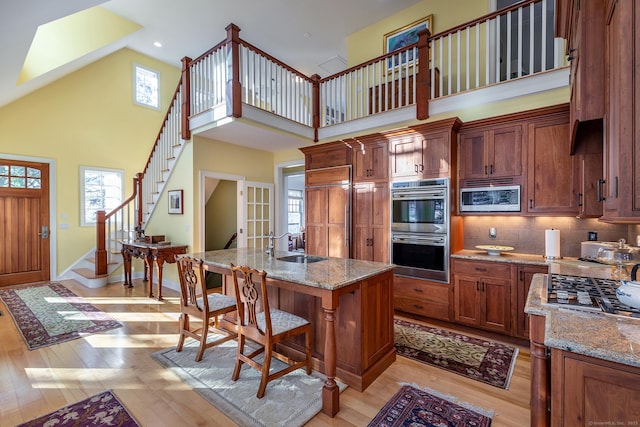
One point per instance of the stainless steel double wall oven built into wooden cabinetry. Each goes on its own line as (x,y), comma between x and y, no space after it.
(420,228)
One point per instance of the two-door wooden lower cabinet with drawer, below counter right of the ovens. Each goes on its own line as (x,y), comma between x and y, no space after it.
(482,294)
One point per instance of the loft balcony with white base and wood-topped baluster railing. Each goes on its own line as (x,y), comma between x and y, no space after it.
(239,94)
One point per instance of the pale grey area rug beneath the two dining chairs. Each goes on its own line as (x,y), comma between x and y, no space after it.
(290,400)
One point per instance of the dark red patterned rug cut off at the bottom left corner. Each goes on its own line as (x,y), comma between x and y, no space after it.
(103,409)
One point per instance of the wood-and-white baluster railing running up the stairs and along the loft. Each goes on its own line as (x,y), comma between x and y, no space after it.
(509,44)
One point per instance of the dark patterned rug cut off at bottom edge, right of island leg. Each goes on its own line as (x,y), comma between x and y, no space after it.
(413,406)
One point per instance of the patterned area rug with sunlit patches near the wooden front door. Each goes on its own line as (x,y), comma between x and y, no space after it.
(48,314)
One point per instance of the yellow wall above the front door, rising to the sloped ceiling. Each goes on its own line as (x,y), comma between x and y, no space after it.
(87,118)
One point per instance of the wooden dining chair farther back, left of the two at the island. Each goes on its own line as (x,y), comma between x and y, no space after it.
(196,302)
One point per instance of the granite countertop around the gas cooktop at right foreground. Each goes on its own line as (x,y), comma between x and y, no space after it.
(604,336)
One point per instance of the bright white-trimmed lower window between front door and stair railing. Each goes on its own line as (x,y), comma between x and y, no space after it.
(100,189)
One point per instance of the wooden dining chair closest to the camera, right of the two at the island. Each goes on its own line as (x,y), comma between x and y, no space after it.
(265,328)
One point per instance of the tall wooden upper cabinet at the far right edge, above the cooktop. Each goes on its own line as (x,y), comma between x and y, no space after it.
(621,186)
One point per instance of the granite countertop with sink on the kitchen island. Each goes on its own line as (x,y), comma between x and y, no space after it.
(330,273)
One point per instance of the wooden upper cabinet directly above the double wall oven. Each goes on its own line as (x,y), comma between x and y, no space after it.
(425,151)
